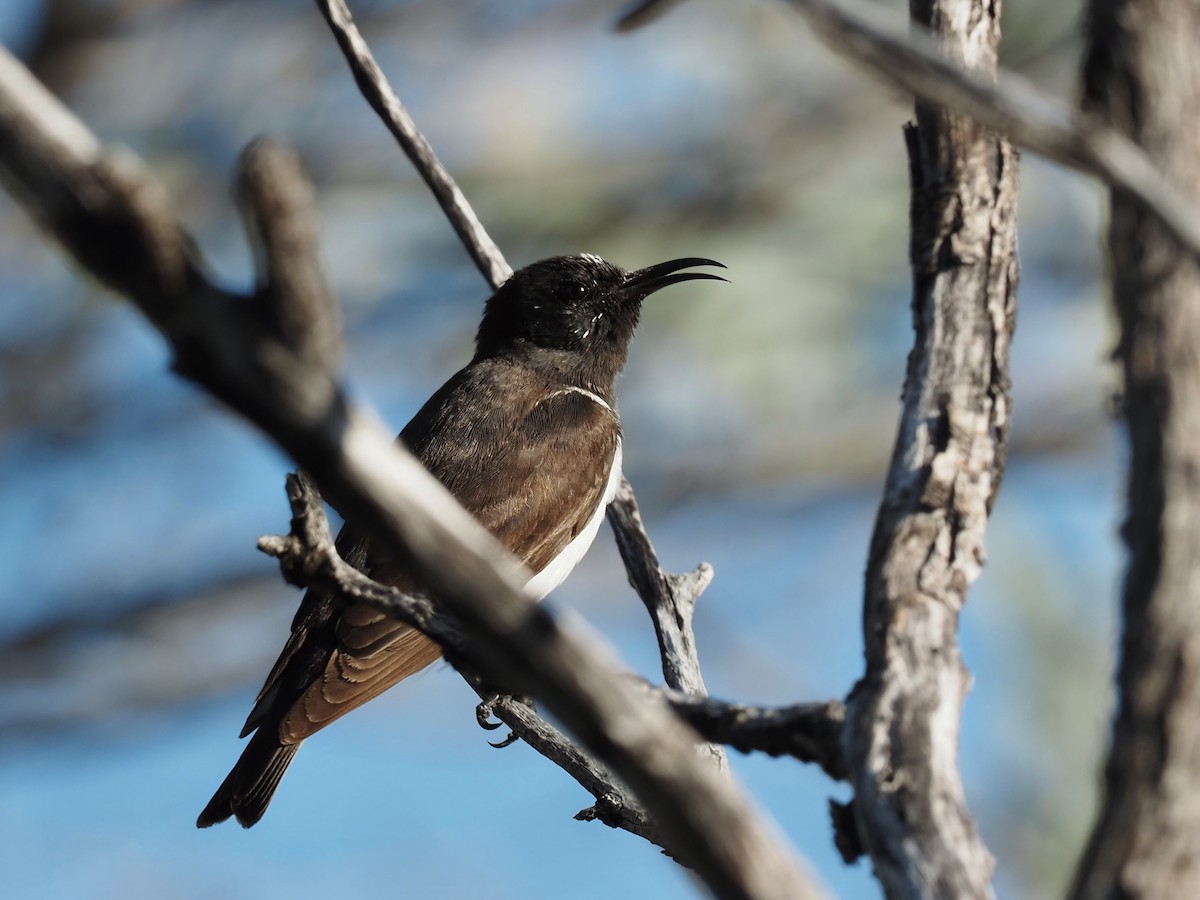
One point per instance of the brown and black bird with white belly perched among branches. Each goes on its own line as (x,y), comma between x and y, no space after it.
(527,439)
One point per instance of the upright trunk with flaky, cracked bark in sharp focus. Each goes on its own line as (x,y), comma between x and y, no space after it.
(928,548)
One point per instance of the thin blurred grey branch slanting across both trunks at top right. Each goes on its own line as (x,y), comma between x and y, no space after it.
(881,43)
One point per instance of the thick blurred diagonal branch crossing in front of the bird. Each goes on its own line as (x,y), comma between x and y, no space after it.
(115,218)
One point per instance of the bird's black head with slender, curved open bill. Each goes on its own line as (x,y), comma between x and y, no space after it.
(577,314)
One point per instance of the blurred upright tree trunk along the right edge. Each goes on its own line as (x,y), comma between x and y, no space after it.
(1143,71)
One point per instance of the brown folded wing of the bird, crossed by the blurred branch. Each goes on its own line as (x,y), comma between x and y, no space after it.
(535,488)
